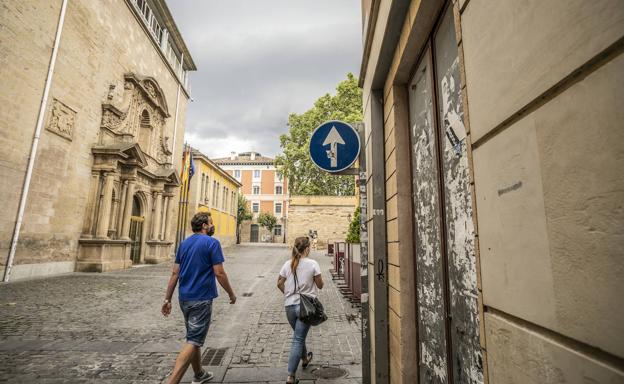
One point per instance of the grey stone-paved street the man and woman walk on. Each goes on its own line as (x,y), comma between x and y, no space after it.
(107,328)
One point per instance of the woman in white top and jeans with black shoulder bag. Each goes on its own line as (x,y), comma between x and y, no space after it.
(308,274)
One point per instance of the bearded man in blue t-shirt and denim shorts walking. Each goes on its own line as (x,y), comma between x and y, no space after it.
(198,265)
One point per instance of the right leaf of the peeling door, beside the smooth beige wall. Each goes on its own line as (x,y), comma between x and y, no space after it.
(459,228)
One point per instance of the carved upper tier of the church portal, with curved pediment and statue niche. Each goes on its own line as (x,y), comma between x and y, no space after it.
(138,114)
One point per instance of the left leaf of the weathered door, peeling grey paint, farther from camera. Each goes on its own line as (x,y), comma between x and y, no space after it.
(429,271)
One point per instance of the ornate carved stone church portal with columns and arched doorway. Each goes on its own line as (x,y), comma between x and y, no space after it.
(132,166)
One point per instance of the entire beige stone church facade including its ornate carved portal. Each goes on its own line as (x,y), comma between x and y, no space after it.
(104,188)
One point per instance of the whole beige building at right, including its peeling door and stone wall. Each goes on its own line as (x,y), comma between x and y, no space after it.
(495,190)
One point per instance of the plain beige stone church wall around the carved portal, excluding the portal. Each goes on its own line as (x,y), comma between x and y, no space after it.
(99,44)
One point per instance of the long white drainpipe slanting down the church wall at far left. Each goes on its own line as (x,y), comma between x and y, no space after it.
(35,143)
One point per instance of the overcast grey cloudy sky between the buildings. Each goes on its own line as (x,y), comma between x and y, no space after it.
(258,61)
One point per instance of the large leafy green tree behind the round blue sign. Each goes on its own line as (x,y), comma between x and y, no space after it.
(305,178)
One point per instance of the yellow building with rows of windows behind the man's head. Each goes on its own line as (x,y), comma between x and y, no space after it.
(214,190)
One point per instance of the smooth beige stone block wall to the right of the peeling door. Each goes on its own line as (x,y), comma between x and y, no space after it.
(549,185)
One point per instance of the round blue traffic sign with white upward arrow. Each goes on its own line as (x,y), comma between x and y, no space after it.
(334,146)
